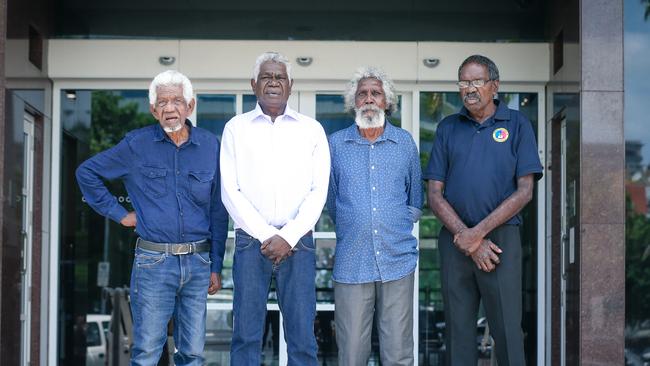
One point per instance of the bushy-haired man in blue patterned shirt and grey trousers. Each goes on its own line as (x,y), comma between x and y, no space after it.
(375,197)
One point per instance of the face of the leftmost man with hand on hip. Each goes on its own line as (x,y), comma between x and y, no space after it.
(171,109)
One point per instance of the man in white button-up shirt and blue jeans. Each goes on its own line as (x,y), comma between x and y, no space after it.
(275,167)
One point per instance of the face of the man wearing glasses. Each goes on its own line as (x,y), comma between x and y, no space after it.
(478,101)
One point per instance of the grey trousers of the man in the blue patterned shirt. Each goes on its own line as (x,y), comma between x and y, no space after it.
(391,303)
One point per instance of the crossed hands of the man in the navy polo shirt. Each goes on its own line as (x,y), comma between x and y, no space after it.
(482,250)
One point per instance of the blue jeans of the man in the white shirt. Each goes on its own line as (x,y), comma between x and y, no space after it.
(295,282)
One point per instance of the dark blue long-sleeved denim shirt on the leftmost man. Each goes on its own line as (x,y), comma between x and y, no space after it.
(175,191)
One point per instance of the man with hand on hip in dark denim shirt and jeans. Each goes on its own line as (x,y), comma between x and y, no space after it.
(171,172)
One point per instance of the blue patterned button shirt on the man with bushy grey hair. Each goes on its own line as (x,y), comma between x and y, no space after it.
(375,197)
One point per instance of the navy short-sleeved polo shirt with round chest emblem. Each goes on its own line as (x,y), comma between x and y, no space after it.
(481,162)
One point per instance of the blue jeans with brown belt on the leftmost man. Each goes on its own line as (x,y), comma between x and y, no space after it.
(162,286)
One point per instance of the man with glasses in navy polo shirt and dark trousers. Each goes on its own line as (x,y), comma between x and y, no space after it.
(483,166)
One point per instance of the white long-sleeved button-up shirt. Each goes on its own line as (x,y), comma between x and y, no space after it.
(274,175)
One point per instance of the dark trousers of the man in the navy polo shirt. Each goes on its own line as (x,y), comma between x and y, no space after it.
(463,287)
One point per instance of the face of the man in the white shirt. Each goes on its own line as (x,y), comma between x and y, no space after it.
(272,87)
